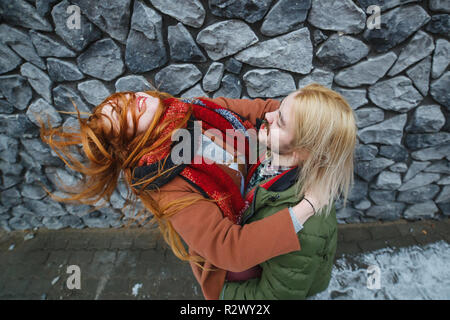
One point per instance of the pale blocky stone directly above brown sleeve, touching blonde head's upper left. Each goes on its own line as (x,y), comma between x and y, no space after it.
(268,83)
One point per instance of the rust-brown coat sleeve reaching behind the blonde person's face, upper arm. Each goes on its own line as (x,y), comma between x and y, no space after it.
(249,109)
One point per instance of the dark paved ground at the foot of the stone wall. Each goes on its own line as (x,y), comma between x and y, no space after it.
(113,262)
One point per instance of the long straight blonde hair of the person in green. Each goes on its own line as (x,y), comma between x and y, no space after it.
(326,128)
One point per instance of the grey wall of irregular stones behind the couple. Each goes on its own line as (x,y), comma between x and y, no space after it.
(396,78)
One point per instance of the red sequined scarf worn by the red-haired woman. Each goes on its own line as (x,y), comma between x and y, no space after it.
(210,178)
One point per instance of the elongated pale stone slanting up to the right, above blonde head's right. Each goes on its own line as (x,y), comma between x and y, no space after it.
(366,72)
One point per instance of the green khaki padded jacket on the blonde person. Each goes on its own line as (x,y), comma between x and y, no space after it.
(296,275)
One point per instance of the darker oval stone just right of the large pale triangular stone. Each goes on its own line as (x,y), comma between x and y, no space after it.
(341,51)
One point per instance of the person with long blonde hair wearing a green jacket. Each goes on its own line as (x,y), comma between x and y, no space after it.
(315,131)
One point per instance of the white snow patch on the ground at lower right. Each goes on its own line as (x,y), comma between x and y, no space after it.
(405,273)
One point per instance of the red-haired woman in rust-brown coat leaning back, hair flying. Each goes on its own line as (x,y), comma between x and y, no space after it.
(198,202)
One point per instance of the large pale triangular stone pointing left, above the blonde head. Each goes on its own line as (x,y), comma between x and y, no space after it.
(291,52)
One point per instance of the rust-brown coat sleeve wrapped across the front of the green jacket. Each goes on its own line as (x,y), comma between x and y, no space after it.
(230,246)
